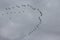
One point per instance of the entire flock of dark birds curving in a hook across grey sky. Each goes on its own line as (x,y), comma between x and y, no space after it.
(10,11)
